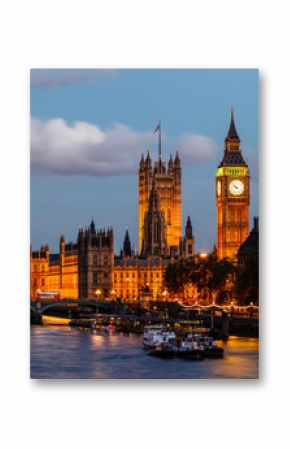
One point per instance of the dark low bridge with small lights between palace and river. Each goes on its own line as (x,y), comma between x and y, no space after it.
(161,312)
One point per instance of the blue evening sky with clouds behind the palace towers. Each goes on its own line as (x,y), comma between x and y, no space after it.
(89,128)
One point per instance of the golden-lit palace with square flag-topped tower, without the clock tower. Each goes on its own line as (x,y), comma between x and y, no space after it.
(90,270)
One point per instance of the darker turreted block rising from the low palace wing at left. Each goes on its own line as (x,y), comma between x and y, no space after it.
(96,262)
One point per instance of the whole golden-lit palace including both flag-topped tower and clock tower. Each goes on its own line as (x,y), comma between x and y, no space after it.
(89,269)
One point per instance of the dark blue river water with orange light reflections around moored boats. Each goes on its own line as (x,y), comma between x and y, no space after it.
(62,352)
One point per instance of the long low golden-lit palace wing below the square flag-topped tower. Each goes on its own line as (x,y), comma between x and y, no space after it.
(90,270)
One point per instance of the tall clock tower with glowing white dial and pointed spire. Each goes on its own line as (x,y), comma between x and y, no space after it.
(232,197)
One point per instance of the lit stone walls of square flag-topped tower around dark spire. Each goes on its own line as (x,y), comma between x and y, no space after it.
(169,188)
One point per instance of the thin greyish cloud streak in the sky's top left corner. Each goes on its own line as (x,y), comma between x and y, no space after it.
(54,78)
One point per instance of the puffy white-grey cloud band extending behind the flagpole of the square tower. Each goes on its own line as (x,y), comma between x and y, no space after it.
(86,149)
